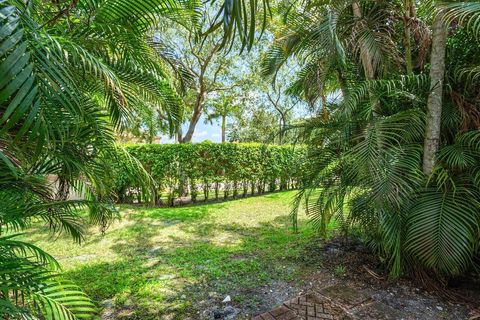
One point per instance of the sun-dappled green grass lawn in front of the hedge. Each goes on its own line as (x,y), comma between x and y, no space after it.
(167,263)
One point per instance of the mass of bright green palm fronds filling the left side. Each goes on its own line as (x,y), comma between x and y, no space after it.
(72,75)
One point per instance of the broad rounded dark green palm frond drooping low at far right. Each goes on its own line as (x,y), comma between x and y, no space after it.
(442,228)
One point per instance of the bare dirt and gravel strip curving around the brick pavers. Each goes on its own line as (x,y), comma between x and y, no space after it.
(351,276)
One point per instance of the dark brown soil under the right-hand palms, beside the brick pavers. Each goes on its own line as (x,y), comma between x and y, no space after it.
(349,264)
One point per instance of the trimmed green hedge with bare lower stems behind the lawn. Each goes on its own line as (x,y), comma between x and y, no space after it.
(210,170)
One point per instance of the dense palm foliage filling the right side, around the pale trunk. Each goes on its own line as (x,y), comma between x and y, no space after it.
(366,150)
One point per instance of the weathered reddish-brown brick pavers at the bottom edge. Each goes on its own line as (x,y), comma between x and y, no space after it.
(311,306)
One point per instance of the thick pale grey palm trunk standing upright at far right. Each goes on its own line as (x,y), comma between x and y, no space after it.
(434,103)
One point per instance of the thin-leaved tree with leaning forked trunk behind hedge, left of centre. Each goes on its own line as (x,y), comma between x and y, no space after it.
(210,69)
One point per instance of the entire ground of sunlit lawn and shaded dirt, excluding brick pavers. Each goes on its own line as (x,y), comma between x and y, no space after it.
(182,263)
